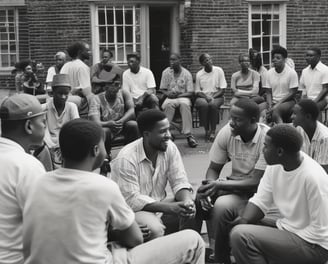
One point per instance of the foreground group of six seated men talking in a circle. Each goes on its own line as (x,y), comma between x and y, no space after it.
(271,208)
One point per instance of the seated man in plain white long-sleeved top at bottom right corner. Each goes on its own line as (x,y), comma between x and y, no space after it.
(298,186)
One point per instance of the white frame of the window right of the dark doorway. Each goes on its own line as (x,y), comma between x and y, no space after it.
(282,24)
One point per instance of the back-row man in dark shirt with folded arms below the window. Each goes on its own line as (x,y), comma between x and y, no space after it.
(104,72)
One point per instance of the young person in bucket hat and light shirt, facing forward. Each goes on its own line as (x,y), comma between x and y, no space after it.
(58,112)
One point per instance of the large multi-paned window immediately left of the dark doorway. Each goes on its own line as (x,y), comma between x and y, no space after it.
(118,29)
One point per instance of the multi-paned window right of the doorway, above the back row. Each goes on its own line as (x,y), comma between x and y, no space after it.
(267,27)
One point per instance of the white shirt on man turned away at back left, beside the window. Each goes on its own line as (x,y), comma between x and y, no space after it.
(79,75)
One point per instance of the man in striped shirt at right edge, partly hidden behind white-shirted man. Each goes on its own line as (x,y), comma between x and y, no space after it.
(314,134)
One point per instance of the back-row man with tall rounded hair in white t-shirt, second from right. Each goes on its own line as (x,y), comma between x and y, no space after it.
(281,84)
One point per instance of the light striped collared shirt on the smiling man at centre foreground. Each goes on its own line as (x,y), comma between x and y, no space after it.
(141,183)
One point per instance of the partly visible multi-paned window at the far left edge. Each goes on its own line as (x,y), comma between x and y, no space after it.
(8,37)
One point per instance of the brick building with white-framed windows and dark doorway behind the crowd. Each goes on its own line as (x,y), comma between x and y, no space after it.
(37,29)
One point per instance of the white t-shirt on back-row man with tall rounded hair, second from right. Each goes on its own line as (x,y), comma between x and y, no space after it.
(280,83)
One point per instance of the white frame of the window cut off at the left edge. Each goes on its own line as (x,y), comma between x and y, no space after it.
(5,69)
